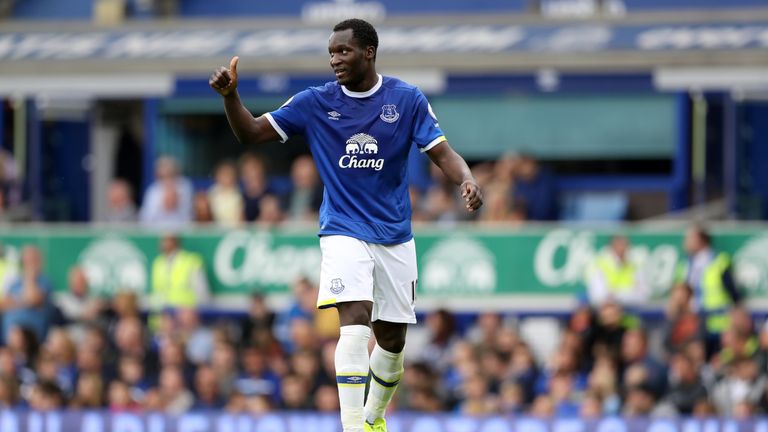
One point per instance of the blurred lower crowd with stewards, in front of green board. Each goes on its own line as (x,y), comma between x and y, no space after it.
(131,353)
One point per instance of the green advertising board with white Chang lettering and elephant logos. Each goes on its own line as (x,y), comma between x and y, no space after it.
(457,263)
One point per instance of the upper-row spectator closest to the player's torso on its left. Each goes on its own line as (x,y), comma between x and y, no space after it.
(306,195)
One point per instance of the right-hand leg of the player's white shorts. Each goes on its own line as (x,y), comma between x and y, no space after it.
(394,278)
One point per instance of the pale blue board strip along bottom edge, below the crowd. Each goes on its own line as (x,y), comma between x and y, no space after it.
(18,421)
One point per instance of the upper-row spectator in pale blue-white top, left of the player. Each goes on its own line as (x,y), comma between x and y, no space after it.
(168,200)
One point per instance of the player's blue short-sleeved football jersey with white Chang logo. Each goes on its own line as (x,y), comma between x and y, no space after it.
(360,142)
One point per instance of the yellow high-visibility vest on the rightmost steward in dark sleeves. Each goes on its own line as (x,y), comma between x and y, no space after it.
(714,298)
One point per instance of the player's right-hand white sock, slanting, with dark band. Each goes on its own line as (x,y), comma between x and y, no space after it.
(386,370)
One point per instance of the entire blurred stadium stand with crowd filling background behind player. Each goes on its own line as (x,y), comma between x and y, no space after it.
(583,120)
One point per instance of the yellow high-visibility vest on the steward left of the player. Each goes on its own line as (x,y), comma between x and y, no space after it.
(173,286)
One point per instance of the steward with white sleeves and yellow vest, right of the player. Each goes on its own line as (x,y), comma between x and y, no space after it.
(613,276)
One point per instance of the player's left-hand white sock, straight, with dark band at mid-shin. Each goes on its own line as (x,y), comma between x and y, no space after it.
(351,374)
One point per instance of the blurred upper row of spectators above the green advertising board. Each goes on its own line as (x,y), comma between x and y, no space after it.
(517,188)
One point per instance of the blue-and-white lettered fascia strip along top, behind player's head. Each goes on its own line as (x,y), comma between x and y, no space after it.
(179,44)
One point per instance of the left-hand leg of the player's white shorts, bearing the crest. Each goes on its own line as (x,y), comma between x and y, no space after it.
(346,271)
